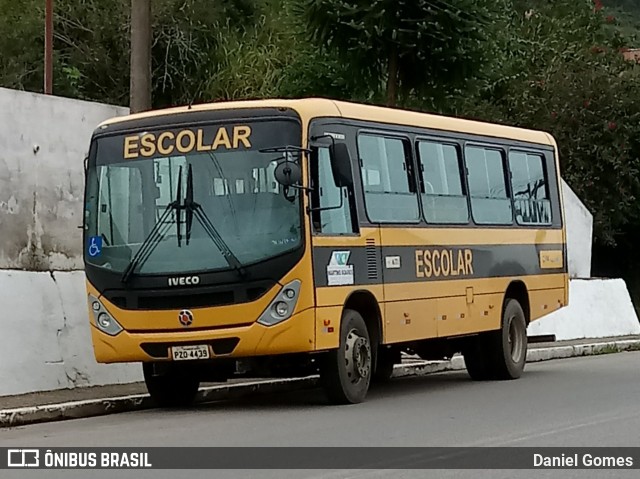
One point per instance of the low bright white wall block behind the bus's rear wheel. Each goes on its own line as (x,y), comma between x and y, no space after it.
(598,308)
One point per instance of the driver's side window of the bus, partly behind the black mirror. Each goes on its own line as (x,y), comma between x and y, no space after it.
(326,194)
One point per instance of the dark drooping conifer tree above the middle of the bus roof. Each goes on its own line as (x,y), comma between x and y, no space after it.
(406,47)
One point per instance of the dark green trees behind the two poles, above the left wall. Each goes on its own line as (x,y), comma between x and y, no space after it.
(91,46)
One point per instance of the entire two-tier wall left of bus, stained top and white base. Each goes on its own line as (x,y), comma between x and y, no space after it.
(45,341)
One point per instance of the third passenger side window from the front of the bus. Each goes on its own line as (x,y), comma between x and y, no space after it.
(490,203)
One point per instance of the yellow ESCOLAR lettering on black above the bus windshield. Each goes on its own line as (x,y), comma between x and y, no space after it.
(186,141)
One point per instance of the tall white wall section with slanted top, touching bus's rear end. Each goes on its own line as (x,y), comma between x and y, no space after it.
(579,224)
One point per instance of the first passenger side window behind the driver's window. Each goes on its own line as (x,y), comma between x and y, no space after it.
(387,178)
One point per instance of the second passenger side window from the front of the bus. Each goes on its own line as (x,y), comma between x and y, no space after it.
(443,197)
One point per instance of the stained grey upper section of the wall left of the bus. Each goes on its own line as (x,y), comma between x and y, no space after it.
(43,142)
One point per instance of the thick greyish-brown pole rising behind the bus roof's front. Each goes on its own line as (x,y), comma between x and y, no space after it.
(140,87)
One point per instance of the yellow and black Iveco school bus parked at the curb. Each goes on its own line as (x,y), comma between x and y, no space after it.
(298,237)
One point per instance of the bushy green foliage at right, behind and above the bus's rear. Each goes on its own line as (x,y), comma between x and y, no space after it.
(565,75)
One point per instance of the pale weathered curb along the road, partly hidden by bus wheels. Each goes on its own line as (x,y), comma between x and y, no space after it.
(138,402)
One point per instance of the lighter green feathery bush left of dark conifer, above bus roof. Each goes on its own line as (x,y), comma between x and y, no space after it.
(274,58)
